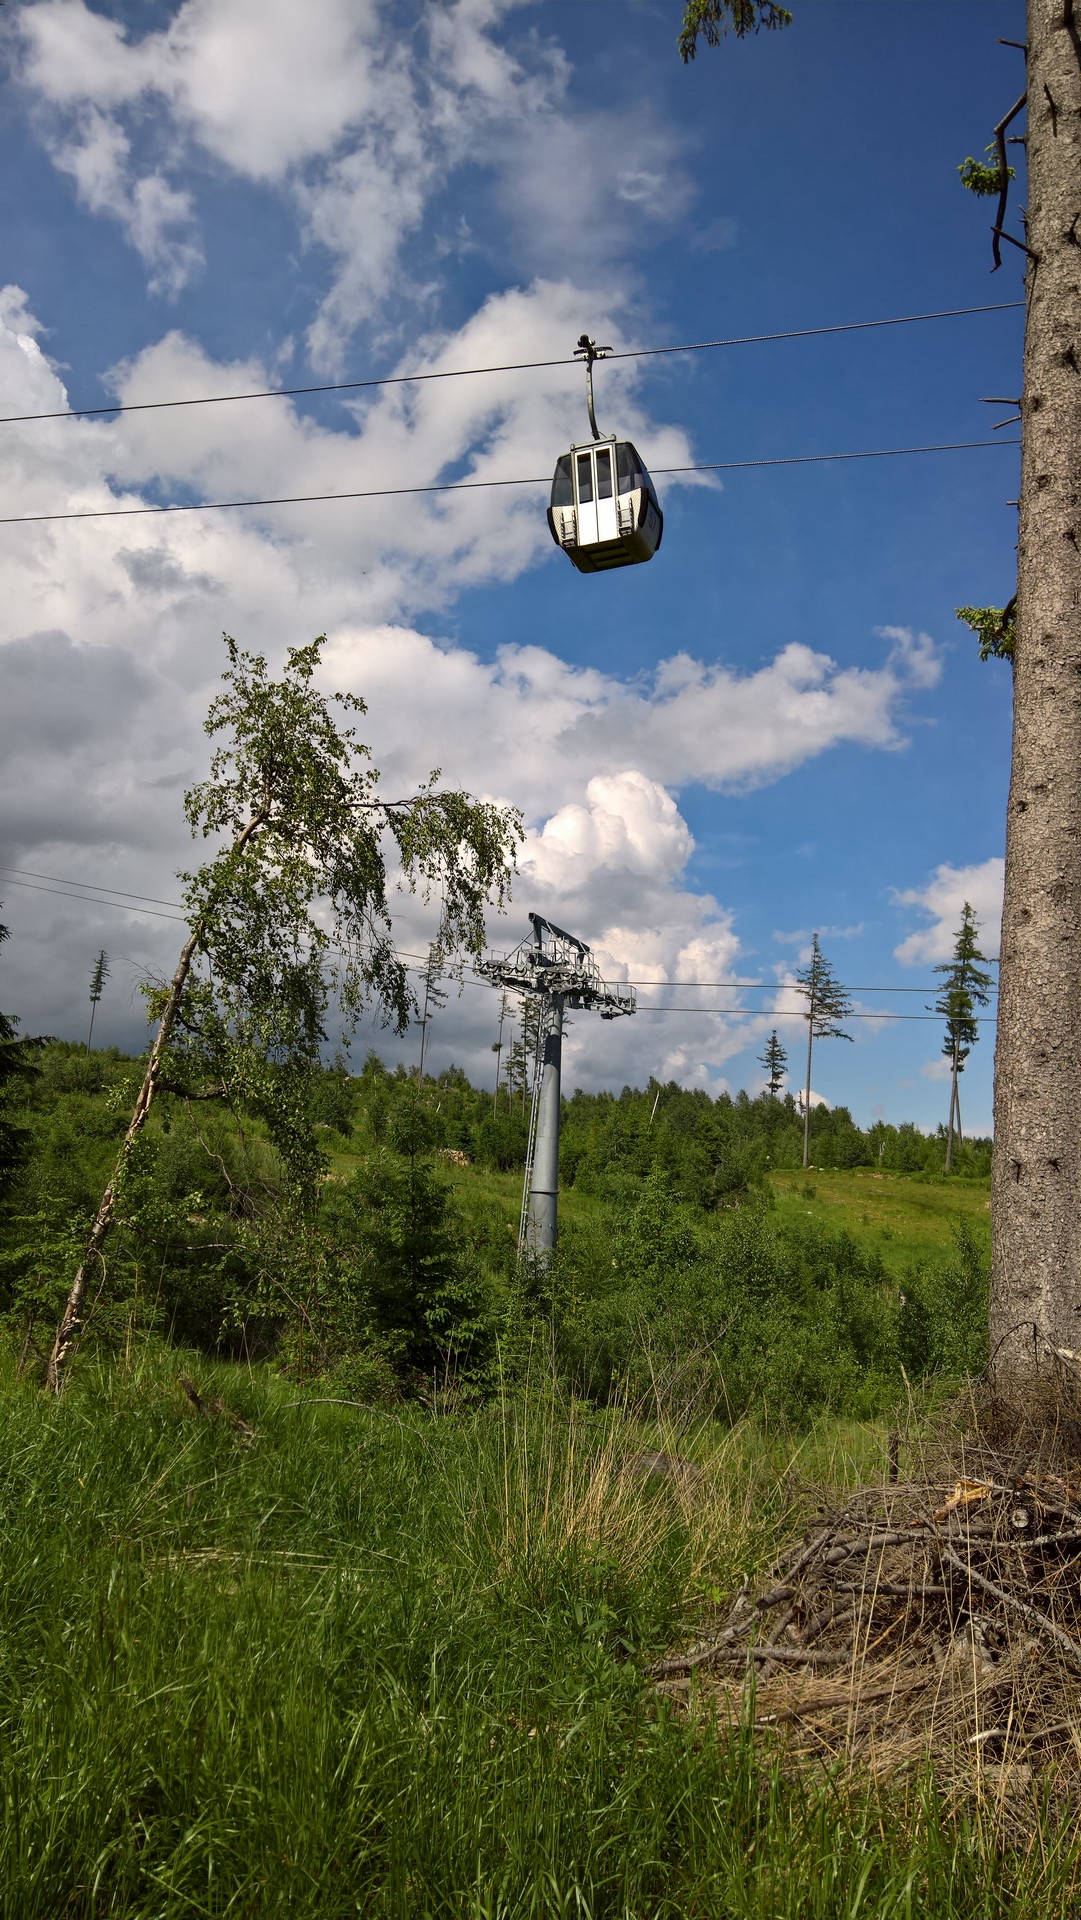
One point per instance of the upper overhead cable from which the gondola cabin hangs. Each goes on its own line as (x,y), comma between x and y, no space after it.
(468,373)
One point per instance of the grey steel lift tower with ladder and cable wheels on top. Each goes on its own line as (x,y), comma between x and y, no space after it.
(558,971)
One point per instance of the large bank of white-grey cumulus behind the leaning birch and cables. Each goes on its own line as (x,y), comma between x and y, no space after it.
(112,654)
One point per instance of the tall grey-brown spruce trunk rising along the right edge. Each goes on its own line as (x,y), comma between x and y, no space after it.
(1036,1284)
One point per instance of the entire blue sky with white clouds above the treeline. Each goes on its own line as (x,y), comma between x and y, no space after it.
(775,727)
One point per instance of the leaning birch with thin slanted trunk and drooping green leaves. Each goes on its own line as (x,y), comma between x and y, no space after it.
(291,915)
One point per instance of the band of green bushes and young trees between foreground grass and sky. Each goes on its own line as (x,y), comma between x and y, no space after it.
(396,1276)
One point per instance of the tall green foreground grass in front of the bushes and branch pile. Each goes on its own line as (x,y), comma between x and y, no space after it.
(393,1666)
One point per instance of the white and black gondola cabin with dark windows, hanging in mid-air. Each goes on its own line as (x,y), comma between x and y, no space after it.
(604,508)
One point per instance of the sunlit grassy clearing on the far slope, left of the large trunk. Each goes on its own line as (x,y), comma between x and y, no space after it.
(907,1218)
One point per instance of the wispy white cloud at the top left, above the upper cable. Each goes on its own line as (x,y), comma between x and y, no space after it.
(356,126)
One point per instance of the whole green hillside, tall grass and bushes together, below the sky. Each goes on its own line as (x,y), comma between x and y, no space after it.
(364,1629)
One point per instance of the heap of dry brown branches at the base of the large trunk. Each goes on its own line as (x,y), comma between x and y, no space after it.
(919,1621)
